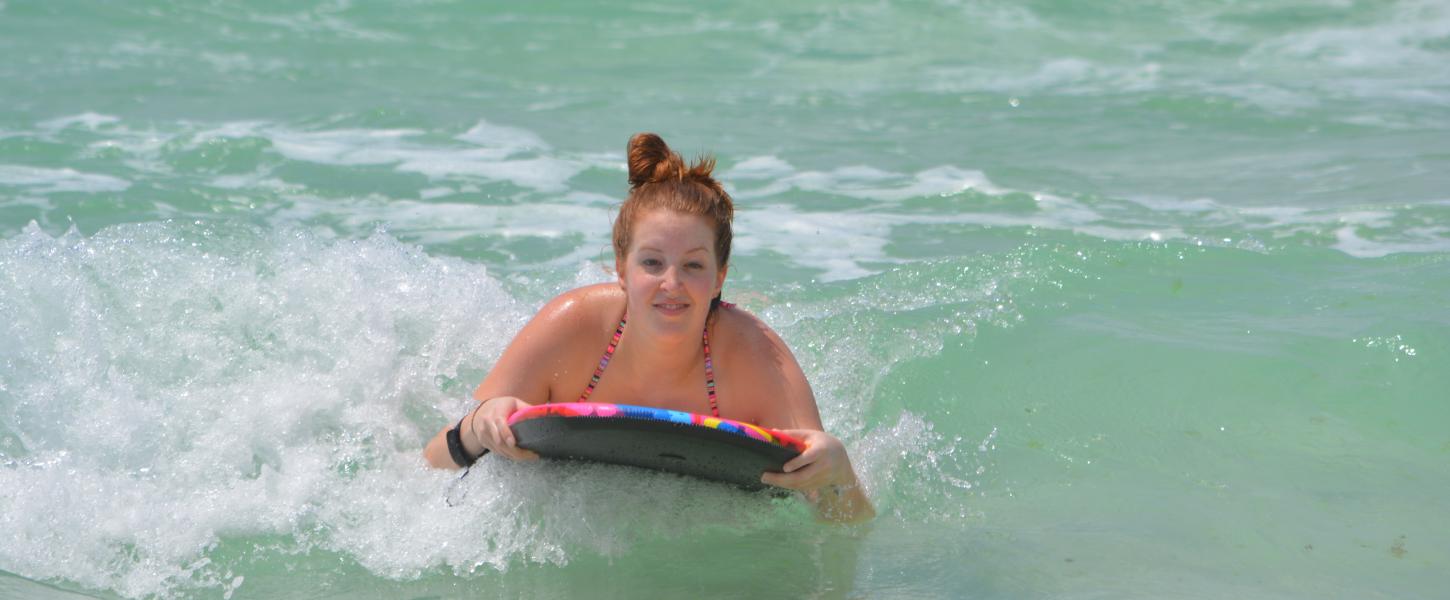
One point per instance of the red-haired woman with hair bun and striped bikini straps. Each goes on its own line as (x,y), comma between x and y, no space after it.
(668,338)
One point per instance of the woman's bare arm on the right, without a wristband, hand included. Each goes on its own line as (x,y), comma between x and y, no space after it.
(824,472)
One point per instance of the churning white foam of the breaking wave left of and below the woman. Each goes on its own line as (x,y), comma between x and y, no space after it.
(240,385)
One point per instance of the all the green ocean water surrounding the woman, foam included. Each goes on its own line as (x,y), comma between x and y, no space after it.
(1107,301)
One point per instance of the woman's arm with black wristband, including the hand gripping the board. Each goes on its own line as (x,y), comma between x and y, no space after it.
(520,379)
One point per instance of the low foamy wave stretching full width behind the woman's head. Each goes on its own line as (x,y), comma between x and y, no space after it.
(494,186)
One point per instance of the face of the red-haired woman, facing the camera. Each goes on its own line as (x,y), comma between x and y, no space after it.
(671,273)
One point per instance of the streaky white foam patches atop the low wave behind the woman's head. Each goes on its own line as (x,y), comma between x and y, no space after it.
(840,246)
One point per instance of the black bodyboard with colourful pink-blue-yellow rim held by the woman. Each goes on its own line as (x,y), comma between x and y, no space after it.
(674,441)
